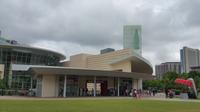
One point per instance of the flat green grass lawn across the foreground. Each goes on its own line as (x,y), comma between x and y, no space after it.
(126,105)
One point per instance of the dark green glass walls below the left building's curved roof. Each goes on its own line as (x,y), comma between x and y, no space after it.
(24,56)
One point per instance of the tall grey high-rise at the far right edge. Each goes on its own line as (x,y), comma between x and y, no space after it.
(189,58)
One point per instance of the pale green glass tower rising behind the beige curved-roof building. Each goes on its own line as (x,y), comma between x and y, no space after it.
(132,36)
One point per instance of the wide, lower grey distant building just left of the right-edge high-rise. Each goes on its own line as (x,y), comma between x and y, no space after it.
(167,67)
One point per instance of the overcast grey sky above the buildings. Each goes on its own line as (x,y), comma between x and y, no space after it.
(77,26)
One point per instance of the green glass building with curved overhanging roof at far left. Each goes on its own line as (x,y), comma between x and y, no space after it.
(15,58)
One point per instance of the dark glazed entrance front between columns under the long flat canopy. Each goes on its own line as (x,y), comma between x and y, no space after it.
(84,86)
